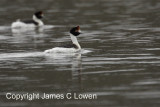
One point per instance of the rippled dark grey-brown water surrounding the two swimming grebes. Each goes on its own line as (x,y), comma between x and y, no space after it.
(120,60)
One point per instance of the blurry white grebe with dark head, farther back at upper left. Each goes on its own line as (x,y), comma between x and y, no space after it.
(34,22)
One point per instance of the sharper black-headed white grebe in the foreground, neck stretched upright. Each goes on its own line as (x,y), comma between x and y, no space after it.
(74,47)
